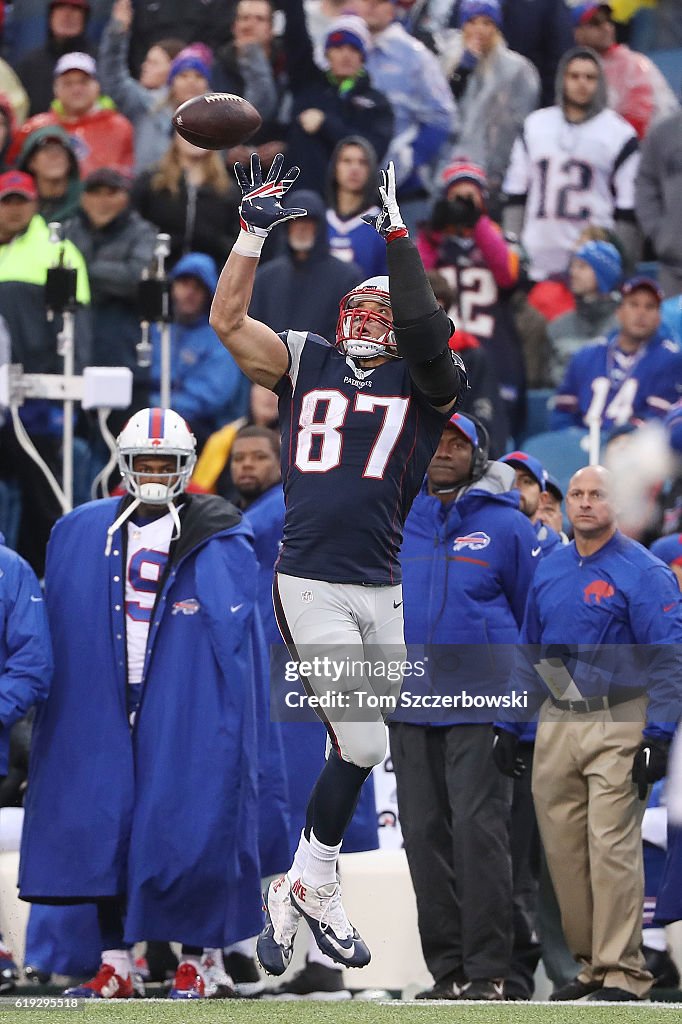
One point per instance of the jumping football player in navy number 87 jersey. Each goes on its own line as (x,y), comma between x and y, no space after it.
(361,419)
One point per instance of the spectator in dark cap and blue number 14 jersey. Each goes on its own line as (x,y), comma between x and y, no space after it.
(632,375)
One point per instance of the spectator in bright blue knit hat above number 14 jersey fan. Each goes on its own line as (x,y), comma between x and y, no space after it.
(594,276)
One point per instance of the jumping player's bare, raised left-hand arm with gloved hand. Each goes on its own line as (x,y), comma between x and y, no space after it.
(257,349)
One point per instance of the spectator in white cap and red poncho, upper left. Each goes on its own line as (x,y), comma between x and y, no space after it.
(101,136)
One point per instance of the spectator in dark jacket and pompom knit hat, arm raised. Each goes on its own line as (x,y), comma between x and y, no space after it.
(329,106)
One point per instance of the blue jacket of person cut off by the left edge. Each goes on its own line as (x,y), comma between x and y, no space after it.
(26,655)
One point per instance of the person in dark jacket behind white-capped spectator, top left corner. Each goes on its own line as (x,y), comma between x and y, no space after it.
(66,32)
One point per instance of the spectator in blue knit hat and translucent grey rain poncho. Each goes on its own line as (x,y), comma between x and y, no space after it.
(495,90)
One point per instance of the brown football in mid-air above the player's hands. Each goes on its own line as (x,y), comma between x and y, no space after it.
(217,120)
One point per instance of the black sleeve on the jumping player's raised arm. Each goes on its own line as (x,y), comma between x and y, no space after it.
(422,329)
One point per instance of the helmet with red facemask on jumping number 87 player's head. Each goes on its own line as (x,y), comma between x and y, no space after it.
(352,330)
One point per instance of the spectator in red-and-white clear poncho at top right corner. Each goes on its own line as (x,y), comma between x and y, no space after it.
(637,91)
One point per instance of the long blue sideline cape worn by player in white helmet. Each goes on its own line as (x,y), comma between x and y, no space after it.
(168,814)
